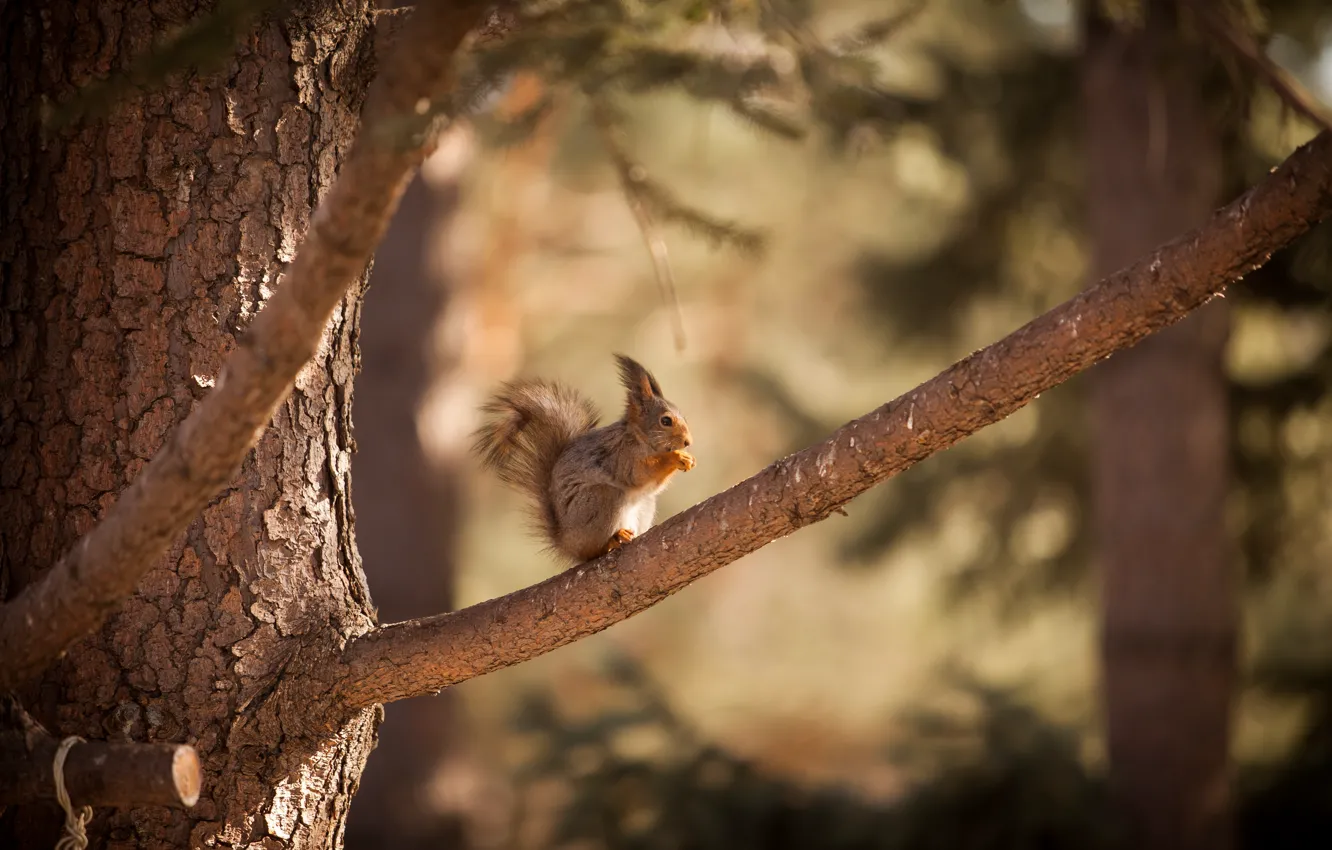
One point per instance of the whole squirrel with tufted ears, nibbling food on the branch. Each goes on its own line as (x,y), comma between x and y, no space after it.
(593,490)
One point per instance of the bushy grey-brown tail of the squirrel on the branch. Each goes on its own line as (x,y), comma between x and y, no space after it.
(529,424)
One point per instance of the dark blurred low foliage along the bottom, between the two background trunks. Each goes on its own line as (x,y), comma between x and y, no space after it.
(1012,780)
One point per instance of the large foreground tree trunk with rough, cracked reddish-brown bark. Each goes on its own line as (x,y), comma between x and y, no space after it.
(135,250)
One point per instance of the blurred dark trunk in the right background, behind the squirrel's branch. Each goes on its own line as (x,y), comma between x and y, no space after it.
(1161,464)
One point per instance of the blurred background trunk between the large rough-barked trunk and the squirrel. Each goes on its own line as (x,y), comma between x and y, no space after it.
(410,496)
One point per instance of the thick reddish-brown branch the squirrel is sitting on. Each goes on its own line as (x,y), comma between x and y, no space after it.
(426,656)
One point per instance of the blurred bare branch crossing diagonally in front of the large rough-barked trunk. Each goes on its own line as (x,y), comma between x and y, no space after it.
(206,452)
